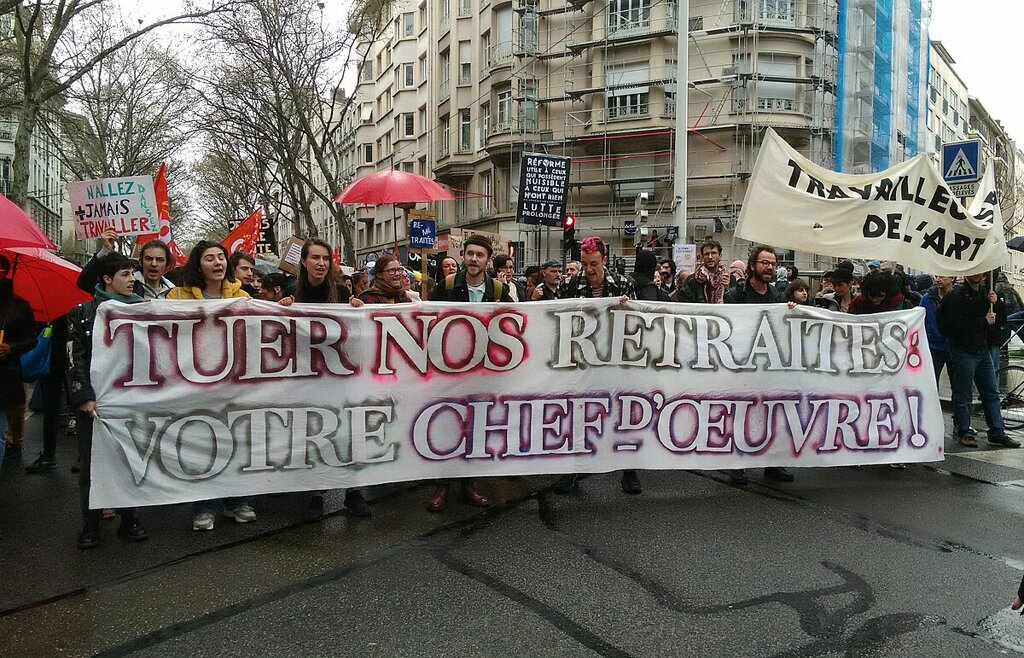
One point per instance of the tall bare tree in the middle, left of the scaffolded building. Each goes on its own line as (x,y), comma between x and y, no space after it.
(278,95)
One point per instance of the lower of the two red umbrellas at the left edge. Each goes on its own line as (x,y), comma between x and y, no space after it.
(49,283)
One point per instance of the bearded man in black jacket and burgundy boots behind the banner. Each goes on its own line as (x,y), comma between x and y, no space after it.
(471,284)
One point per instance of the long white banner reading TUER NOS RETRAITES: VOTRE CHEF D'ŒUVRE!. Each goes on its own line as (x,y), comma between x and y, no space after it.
(221,399)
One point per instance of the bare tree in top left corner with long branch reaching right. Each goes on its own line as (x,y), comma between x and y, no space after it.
(53,54)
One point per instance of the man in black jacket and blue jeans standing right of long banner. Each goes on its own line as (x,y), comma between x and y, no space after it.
(970,317)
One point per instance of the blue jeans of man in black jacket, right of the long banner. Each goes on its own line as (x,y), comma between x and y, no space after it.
(975,369)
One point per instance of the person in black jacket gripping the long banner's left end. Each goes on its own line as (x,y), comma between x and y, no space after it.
(115,273)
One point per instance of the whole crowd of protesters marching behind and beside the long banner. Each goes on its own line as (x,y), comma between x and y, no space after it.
(966,324)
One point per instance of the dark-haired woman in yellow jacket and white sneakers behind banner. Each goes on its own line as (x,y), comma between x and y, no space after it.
(208,275)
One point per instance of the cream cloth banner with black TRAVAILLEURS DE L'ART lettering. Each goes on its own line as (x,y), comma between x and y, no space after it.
(906,213)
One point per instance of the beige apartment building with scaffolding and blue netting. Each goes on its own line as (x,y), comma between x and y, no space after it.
(464,87)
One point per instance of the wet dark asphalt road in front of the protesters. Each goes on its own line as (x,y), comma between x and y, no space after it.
(858,562)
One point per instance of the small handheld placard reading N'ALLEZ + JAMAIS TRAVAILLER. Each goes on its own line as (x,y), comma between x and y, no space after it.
(127,205)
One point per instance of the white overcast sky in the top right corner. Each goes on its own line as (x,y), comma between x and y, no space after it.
(980,36)
